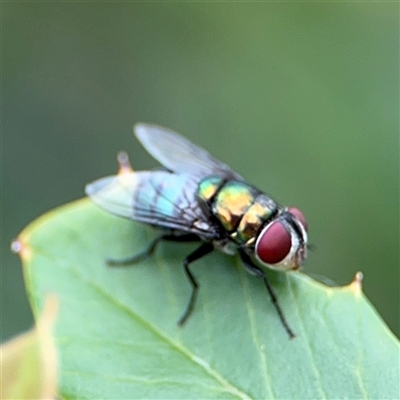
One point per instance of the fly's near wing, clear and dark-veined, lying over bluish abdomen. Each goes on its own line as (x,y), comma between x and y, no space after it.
(159,198)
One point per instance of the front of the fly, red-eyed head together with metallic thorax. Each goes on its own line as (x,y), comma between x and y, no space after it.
(251,220)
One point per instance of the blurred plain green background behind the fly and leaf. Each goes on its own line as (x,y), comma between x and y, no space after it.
(301,99)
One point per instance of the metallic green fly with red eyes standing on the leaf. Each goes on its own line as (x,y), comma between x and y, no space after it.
(197,198)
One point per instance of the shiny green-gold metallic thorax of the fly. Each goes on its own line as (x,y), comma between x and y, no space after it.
(241,208)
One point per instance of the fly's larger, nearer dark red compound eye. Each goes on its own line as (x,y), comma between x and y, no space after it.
(273,244)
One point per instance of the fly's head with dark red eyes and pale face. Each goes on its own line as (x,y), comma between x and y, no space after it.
(282,244)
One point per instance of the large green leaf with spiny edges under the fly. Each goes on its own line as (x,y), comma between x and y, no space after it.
(117,334)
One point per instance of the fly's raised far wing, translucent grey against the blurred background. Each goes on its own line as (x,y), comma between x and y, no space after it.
(179,155)
